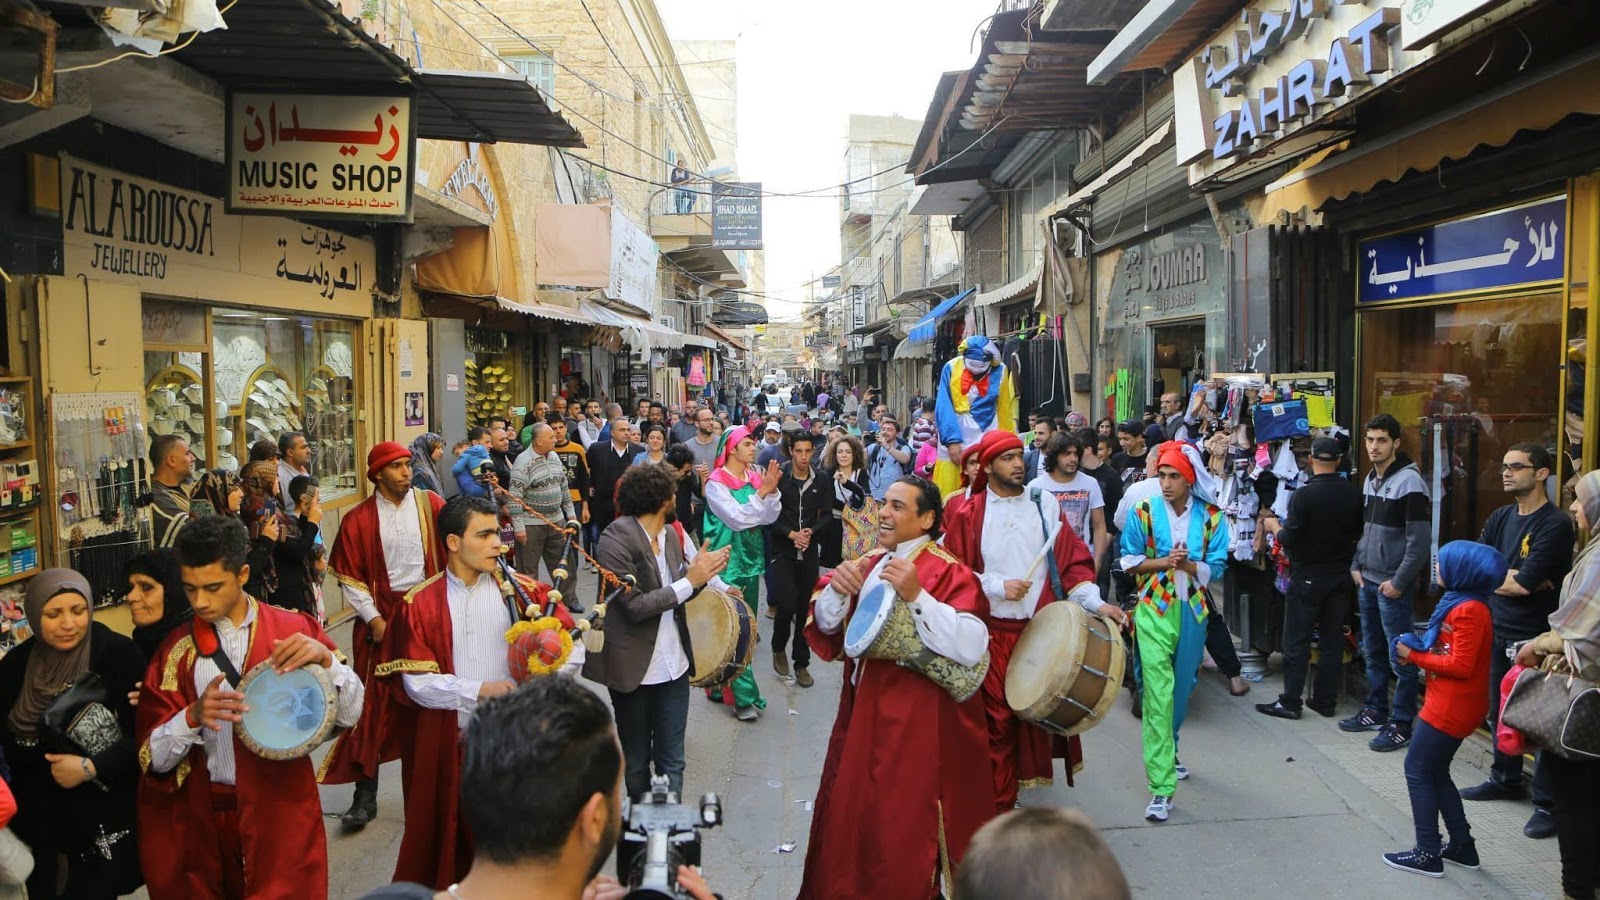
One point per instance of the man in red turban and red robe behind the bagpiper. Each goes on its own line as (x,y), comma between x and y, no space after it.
(386,547)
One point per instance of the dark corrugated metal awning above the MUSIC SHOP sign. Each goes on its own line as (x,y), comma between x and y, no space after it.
(313,44)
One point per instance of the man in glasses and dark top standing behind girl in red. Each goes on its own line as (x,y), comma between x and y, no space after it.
(1537,540)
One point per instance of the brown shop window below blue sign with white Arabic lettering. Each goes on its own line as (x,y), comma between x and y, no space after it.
(1463,369)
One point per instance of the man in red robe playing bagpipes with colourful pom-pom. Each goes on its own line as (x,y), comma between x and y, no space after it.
(447,649)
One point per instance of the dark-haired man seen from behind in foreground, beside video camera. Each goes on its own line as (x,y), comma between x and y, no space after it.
(540,792)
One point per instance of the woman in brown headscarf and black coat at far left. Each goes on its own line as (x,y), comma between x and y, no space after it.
(76,811)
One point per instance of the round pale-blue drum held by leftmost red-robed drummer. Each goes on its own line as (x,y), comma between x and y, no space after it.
(289,715)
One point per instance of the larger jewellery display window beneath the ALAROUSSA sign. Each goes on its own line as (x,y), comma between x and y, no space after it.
(281,374)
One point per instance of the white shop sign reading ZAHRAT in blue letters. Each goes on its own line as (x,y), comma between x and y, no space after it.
(1281,68)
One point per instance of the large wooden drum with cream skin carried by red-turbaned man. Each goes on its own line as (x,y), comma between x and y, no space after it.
(1066,670)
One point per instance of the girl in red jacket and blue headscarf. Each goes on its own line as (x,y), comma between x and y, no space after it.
(1455,657)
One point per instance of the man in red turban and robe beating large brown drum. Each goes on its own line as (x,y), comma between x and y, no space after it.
(1001,534)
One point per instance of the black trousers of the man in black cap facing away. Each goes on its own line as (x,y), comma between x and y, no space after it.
(1319,605)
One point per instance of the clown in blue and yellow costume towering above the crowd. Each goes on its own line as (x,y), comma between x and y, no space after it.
(975,396)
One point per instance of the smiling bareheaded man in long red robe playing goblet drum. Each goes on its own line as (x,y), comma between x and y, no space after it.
(906,777)
